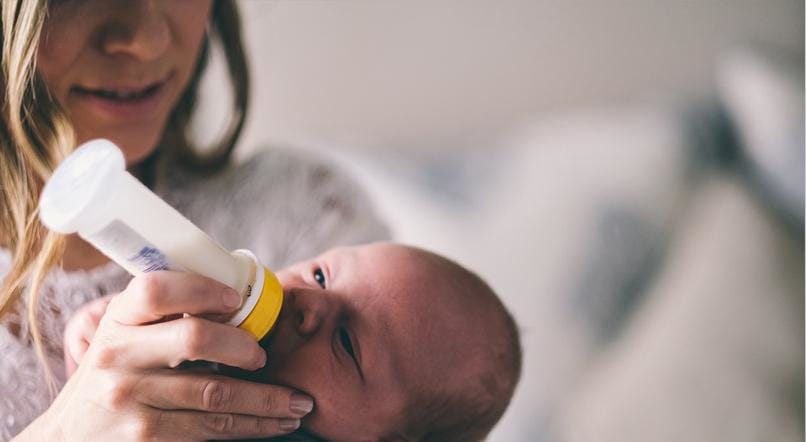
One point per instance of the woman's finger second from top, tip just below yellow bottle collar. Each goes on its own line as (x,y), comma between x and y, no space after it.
(168,344)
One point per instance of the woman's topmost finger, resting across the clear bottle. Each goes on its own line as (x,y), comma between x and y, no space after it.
(157,295)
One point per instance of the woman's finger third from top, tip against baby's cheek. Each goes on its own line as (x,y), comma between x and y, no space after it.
(168,390)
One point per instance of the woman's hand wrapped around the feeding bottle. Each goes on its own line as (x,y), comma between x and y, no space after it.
(125,388)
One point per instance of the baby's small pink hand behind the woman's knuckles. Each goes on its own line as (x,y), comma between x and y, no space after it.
(79,332)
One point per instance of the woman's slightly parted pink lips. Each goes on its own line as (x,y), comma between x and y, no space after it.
(124,103)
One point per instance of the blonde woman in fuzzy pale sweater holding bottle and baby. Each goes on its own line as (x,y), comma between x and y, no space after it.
(74,70)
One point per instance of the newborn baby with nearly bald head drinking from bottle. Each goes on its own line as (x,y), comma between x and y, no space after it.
(393,343)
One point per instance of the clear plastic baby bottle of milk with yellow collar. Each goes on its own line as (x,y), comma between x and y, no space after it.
(91,193)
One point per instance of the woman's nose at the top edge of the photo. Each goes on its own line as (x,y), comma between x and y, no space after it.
(142,31)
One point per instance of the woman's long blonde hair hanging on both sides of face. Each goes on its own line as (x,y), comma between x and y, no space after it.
(35,135)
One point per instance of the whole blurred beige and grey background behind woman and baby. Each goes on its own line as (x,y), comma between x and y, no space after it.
(628,175)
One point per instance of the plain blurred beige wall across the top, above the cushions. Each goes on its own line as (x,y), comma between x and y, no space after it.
(455,73)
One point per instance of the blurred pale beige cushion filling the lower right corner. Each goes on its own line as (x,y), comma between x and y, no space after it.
(716,352)
